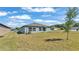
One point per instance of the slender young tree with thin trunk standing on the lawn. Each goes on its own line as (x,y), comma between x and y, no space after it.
(70,15)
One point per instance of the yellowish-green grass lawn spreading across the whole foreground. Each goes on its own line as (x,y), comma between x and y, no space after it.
(37,42)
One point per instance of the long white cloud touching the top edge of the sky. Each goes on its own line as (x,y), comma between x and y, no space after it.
(43,9)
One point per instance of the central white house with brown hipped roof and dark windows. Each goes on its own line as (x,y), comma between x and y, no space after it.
(34,27)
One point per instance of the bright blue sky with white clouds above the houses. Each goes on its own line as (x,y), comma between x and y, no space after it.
(19,16)
